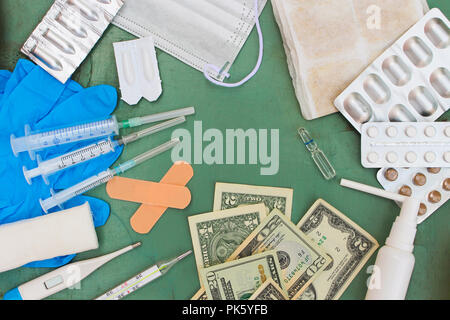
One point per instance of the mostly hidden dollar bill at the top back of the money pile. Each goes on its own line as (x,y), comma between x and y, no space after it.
(230,195)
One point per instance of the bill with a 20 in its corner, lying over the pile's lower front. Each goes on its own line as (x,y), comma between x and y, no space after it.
(239,279)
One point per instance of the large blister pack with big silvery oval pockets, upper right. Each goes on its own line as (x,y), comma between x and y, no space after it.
(409,82)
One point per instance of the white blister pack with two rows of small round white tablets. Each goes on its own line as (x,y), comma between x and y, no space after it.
(405,144)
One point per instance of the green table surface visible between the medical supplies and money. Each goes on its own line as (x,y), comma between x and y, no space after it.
(266,102)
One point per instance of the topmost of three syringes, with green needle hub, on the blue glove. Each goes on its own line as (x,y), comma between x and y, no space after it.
(32,142)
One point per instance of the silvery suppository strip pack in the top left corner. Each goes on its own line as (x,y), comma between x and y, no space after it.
(67,34)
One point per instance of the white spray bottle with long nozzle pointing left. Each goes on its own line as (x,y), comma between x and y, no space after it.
(395,261)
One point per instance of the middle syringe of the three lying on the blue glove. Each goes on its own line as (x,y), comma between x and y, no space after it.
(48,167)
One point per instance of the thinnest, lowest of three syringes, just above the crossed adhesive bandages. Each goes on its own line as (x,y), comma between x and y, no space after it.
(57,199)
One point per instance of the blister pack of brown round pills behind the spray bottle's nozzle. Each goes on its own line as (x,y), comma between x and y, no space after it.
(430,185)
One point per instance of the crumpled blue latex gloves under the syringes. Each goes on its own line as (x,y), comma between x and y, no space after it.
(31,96)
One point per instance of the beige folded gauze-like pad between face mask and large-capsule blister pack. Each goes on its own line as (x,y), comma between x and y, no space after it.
(328,43)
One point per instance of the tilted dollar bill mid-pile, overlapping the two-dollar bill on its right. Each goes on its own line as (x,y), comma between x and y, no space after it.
(301,260)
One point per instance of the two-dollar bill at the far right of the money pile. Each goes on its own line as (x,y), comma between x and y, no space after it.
(348,245)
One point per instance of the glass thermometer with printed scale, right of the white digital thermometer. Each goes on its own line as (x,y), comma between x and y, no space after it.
(141,279)
